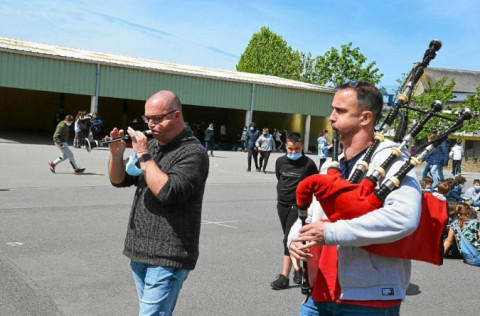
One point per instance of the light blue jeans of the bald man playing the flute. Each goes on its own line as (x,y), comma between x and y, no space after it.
(157,287)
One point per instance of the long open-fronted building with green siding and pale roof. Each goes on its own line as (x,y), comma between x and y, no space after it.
(39,82)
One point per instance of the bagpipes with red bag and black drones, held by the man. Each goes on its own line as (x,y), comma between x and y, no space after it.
(342,199)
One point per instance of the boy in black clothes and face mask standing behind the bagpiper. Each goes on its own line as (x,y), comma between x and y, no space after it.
(290,169)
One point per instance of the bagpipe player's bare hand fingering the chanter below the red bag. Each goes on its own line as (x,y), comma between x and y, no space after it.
(309,235)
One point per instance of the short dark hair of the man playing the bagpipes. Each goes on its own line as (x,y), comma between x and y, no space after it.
(369,98)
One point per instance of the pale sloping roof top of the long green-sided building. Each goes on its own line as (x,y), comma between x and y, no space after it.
(58,52)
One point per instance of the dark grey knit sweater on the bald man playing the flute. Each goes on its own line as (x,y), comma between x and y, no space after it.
(164,229)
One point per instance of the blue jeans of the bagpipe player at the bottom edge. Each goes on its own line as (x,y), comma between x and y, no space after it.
(311,308)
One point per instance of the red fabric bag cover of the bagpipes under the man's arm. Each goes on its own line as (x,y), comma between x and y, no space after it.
(342,200)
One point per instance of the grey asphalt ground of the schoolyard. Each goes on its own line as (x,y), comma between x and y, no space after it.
(61,242)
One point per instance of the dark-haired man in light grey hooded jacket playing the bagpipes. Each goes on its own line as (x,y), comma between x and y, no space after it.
(365,281)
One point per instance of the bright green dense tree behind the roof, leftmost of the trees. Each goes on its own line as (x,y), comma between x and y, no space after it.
(268,53)
